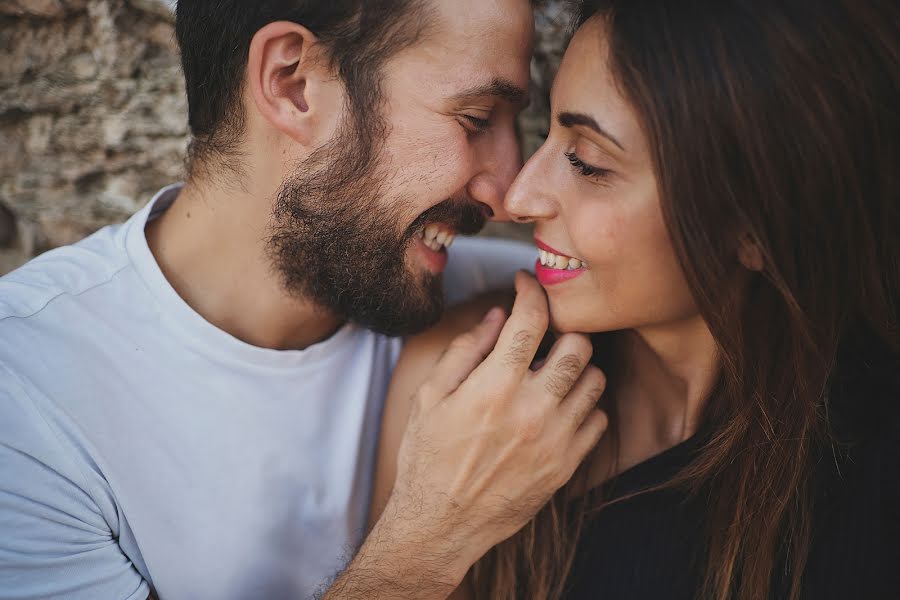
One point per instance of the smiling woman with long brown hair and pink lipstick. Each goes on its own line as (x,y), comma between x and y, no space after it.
(717,203)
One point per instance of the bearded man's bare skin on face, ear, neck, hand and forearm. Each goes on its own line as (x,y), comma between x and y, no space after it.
(488,441)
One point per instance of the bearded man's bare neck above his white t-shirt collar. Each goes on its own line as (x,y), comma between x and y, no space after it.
(211,246)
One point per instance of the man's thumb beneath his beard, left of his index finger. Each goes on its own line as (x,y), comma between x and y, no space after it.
(464,354)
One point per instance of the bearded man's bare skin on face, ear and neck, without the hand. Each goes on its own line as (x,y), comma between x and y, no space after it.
(211,243)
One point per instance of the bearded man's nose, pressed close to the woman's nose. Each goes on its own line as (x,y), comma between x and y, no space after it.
(501,162)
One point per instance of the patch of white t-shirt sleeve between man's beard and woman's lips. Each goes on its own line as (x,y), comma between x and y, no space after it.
(483,264)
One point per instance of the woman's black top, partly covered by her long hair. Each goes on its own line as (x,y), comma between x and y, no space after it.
(651,546)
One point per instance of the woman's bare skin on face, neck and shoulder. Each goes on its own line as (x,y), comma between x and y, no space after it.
(633,282)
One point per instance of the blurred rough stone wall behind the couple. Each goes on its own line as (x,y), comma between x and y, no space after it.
(93,116)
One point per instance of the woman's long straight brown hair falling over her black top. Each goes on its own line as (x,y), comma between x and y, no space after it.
(773,122)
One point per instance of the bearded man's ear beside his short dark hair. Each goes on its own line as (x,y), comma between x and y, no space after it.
(287,80)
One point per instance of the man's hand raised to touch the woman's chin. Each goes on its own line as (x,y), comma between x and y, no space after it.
(488,443)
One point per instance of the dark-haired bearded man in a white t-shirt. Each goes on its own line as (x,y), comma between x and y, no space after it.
(190,400)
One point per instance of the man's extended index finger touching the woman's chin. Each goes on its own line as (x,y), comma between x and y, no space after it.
(521,335)
